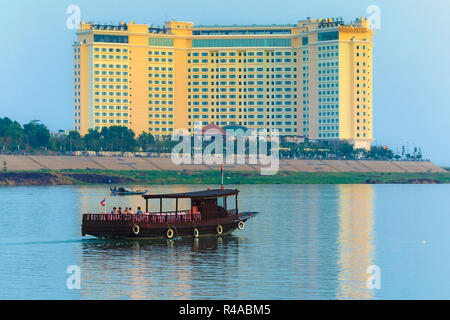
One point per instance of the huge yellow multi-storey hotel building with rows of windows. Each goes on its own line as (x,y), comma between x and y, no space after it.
(312,79)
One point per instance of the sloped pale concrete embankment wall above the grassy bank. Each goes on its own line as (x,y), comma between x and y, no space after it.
(38,162)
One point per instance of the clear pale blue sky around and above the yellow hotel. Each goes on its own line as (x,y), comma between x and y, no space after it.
(411,67)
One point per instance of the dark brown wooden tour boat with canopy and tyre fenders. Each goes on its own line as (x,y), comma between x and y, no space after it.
(212,212)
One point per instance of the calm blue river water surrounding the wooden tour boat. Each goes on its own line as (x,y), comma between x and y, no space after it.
(310,242)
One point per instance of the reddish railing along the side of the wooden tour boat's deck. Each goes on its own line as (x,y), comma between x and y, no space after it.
(163,217)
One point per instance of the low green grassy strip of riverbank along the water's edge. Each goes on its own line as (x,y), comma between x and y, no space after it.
(125,177)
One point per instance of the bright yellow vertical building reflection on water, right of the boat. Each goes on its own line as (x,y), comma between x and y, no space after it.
(356,248)
